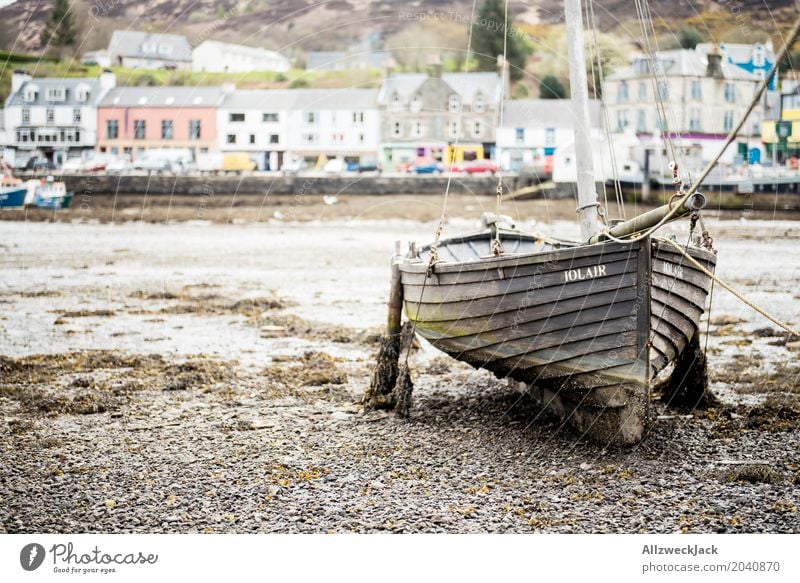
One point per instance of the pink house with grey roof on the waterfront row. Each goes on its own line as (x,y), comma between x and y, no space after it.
(131,120)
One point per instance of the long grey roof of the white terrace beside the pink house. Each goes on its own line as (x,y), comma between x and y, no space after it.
(345,99)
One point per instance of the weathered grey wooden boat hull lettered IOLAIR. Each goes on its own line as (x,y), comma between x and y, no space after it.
(589,324)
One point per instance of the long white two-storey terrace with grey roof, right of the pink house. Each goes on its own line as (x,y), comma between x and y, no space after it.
(313,124)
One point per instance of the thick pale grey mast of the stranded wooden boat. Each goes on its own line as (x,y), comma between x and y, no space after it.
(579,91)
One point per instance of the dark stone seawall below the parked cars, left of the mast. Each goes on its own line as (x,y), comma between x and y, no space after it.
(285,185)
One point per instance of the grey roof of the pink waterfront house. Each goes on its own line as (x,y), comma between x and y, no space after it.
(163,97)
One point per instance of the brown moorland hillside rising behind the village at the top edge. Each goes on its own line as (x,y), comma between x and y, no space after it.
(294,26)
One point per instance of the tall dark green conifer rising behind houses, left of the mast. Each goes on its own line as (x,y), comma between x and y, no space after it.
(487,40)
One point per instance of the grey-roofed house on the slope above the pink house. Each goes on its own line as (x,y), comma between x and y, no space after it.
(146,50)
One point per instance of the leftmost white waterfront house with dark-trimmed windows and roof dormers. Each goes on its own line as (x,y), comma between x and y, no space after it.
(54,117)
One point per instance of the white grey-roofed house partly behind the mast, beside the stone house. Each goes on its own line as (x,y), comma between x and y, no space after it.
(534,129)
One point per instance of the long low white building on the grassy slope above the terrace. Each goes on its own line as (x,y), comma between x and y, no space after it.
(217,57)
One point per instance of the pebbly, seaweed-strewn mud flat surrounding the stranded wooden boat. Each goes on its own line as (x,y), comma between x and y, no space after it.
(192,376)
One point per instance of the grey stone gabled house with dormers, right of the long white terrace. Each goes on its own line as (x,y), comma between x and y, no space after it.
(444,116)
